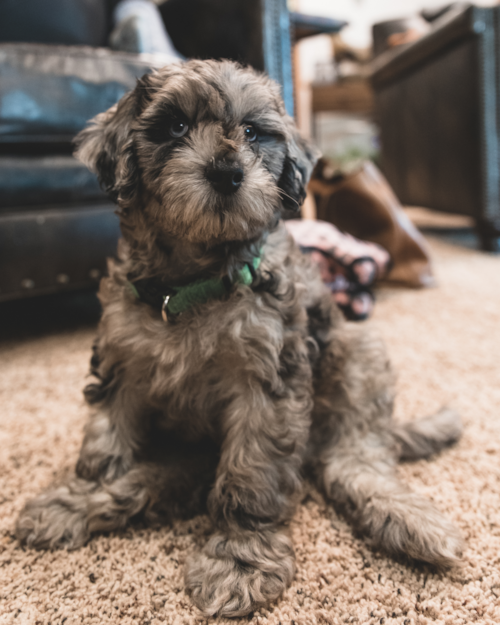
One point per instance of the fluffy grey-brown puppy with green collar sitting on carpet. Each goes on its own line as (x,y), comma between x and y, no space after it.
(224,373)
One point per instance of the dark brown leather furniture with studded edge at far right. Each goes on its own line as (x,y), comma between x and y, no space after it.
(437,103)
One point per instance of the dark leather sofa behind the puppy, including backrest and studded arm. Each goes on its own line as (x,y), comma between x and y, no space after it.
(56,225)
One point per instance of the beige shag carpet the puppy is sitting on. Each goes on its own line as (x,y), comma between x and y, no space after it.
(444,342)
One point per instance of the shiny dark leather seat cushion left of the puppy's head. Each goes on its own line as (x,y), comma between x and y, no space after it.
(51,91)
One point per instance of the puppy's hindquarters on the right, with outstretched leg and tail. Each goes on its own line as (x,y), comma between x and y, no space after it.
(356,446)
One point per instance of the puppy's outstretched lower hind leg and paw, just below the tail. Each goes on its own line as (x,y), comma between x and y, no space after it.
(361,481)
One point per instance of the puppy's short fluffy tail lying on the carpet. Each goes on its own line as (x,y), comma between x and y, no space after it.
(423,437)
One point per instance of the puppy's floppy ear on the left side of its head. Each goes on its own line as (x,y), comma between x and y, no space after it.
(106,146)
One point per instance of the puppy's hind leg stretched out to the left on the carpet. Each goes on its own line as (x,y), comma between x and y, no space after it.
(173,482)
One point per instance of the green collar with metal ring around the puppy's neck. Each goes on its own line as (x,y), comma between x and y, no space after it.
(176,300)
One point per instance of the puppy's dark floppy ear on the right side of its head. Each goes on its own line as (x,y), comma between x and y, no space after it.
(299,162)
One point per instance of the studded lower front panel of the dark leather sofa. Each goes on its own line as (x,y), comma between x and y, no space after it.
(58,249)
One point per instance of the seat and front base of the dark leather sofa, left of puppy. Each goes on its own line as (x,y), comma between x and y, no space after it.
(56,225)
